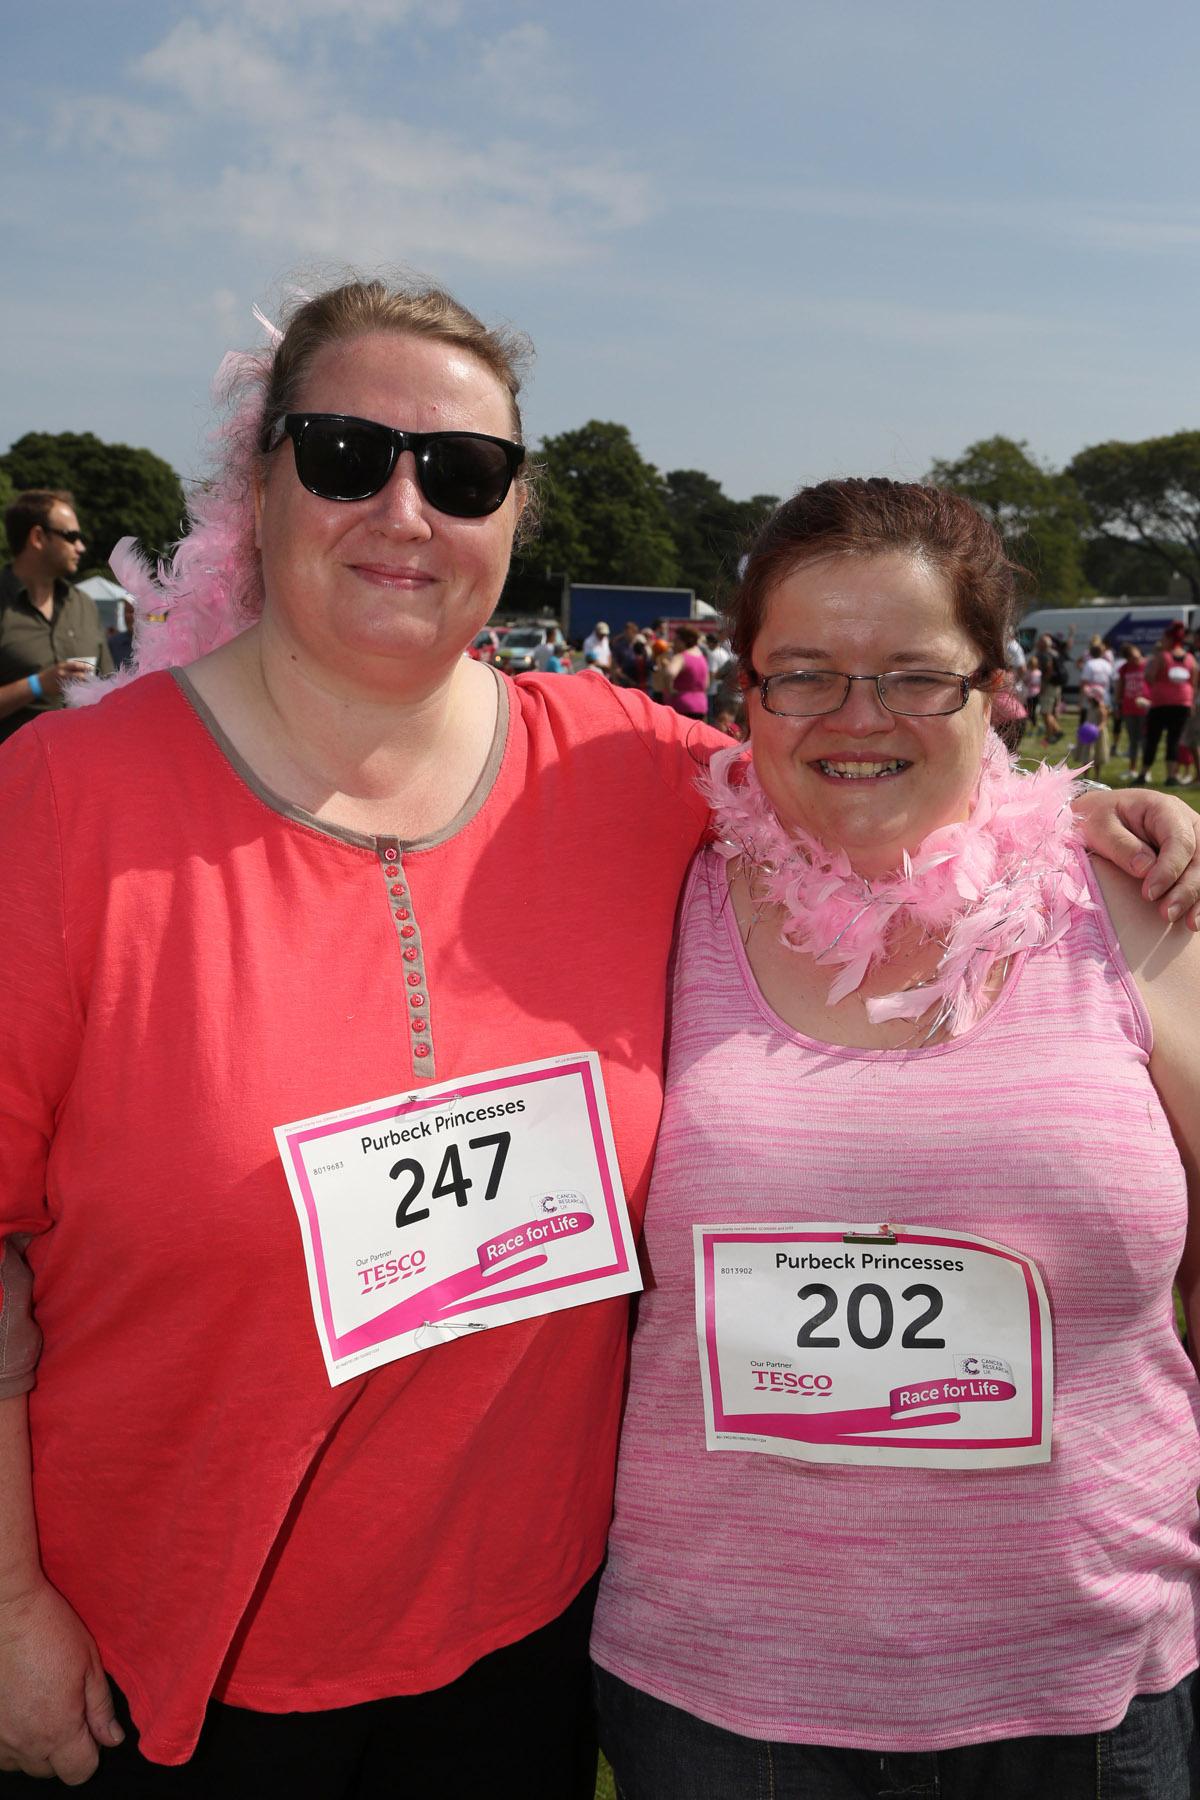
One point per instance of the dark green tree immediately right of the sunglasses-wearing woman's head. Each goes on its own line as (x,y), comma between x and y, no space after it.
(604,512)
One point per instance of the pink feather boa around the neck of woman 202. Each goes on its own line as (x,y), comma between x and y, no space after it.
(999,883)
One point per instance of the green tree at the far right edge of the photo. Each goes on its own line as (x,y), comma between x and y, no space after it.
(1149,496)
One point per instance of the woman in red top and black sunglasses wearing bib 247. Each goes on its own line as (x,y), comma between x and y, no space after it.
(323,1529)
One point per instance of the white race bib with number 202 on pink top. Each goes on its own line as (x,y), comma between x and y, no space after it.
(891,1345)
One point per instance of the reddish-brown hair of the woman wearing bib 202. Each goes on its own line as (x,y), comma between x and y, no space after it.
(882,517)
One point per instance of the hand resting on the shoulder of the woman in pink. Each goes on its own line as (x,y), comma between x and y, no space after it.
(1151,836)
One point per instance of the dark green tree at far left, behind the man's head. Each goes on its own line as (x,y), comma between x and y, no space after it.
(120,490)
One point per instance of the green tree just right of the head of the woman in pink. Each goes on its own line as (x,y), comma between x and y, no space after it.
(1037,512)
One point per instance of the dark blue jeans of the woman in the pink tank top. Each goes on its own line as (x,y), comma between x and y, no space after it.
(663,1754)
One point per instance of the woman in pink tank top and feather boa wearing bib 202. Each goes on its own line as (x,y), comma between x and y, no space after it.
(908,1482)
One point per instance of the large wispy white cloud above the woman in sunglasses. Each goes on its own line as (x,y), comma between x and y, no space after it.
(309,172)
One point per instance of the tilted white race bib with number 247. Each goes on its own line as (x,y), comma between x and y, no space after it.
(458,1209)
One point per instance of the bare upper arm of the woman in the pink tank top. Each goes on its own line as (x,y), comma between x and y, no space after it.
(1165,962)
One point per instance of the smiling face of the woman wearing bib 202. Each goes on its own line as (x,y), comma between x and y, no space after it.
(863,778)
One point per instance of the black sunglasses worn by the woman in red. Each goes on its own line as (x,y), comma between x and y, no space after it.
(341,458)
